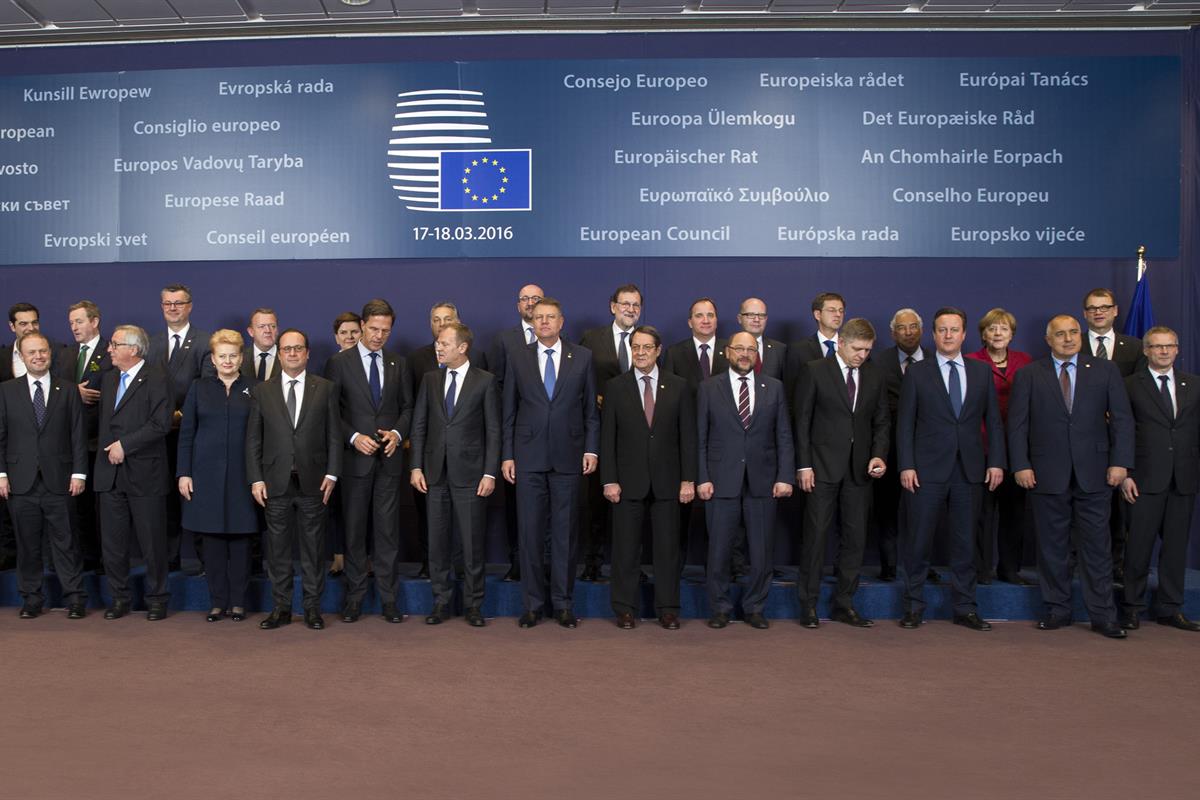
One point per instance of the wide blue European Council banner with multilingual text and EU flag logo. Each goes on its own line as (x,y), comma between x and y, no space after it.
(919,158)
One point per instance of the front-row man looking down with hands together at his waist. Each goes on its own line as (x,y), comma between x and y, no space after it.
(376,404)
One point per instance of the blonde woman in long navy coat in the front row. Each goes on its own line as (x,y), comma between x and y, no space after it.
(213,476)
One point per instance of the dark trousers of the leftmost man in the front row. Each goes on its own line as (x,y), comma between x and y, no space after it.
(38,516)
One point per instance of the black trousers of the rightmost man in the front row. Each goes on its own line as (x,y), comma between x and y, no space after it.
(1167,515)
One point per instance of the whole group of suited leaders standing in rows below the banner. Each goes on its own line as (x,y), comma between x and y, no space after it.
(620,430)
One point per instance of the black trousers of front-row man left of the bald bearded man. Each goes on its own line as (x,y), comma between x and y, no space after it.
(628,520)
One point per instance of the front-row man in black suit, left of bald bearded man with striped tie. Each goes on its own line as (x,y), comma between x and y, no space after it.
(647,465)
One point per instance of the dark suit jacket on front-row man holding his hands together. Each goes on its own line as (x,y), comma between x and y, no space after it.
(359,414)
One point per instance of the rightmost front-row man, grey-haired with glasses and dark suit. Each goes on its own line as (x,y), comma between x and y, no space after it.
(1162,486)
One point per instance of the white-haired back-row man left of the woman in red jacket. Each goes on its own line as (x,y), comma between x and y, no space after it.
(890,504)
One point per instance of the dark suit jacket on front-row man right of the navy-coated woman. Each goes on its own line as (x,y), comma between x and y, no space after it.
(274,449)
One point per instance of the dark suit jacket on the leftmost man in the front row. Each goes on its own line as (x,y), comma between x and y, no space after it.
(57,452)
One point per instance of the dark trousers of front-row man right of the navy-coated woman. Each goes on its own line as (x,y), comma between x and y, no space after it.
(305,515)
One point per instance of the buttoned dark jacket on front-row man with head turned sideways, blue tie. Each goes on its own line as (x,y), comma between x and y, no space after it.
(459,450)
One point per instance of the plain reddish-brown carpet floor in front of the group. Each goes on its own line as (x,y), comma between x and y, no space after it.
(184,709)
